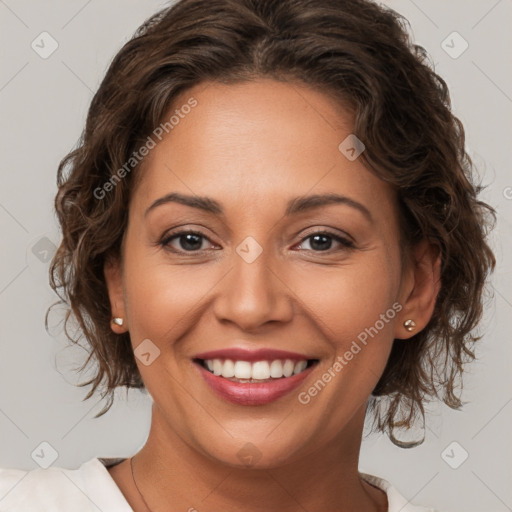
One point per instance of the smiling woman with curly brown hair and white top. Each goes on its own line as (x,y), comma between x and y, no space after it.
(271,225)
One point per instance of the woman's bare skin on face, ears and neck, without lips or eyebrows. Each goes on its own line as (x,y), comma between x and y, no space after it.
(252,147)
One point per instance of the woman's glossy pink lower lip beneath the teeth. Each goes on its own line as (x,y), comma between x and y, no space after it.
(252,394)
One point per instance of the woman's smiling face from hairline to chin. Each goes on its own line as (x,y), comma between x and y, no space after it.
(235,261)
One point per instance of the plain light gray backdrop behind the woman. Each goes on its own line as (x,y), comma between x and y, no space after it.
(43,103)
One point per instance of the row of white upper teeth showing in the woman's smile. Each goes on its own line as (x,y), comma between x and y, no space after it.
(259,370)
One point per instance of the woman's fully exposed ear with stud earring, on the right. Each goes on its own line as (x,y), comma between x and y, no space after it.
(421,282)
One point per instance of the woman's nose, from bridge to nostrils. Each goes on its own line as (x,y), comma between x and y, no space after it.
(254,294)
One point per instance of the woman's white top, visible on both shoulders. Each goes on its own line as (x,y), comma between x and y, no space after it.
(90,488)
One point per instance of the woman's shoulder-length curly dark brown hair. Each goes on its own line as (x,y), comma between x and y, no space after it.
(359,53)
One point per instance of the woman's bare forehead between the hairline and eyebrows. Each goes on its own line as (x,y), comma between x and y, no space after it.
(258,143)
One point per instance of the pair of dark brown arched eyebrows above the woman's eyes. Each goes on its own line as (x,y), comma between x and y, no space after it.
(294,206)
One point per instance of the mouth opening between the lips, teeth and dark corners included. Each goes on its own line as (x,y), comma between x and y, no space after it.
(257,371)
